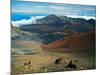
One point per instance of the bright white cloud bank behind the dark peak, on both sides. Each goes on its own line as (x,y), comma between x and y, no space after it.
(32,20)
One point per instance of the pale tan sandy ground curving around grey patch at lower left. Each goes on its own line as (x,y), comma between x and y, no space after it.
(40,58)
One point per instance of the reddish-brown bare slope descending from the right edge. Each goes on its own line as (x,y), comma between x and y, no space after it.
(74,41)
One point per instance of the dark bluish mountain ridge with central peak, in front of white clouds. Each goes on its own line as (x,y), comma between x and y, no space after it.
(53,23)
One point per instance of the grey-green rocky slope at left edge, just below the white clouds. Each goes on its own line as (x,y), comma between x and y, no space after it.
(17,34)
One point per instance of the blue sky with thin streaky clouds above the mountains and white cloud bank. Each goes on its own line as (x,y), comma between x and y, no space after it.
(53,8)
